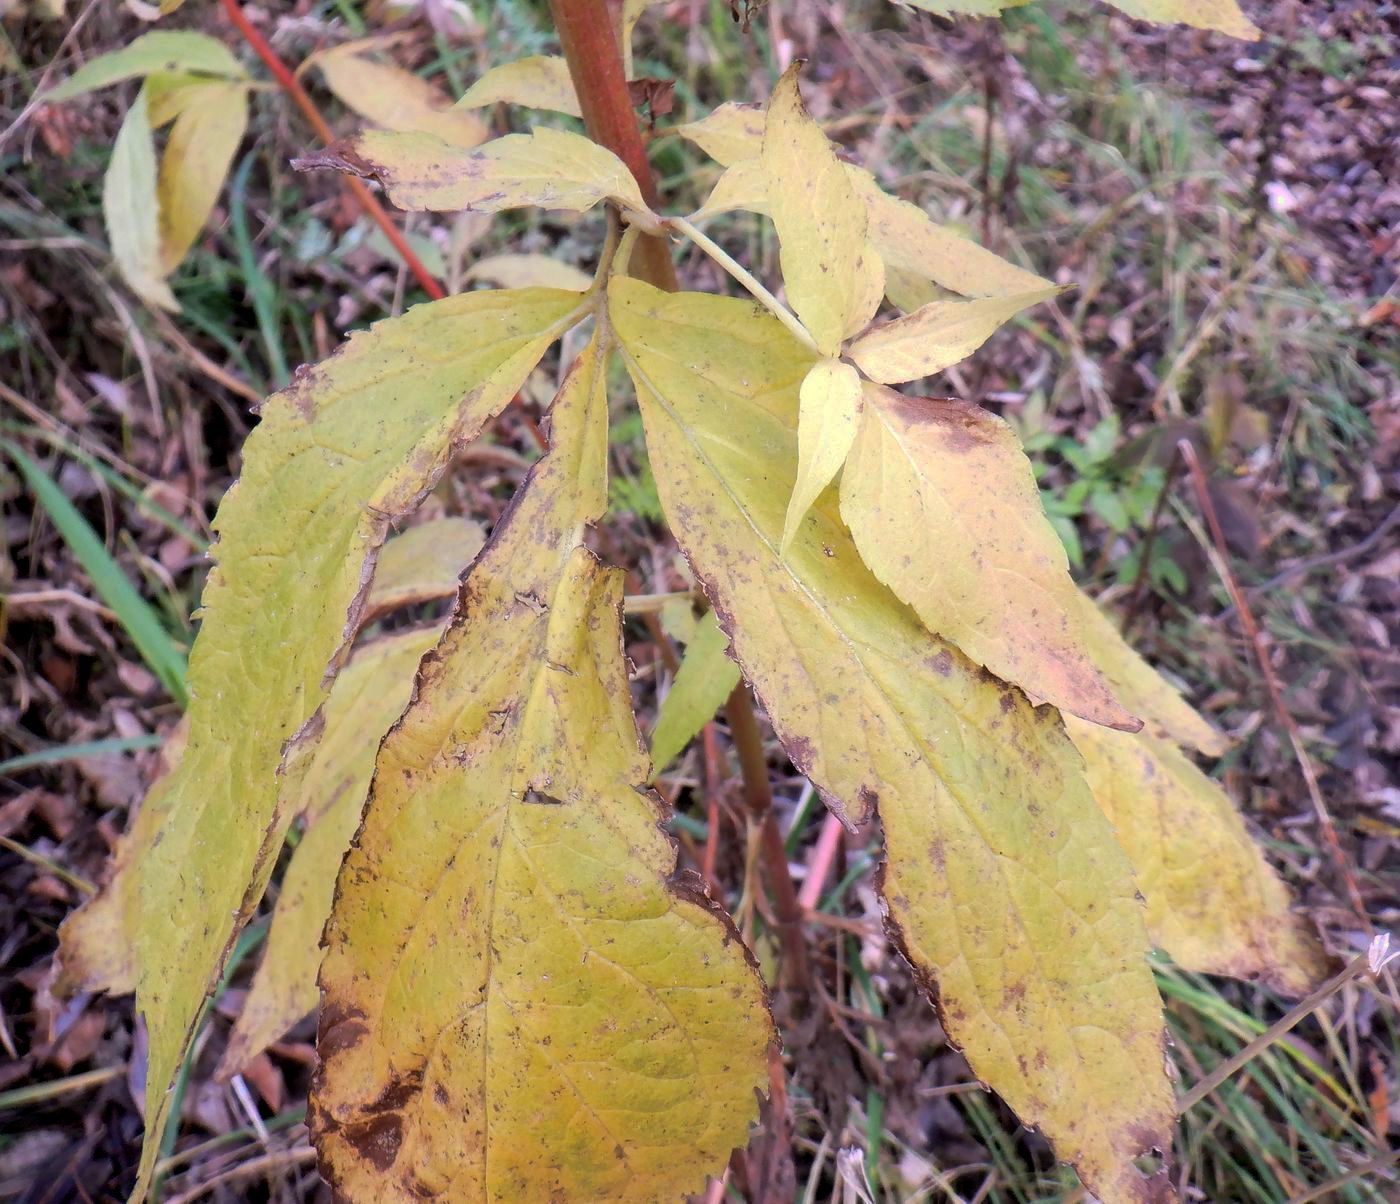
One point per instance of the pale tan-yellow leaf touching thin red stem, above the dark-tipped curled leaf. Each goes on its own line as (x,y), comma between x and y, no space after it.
(397,100)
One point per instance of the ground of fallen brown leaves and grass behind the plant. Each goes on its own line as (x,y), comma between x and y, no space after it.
(1228,218)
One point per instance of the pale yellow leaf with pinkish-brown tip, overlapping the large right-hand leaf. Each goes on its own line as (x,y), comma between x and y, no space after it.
(944,507)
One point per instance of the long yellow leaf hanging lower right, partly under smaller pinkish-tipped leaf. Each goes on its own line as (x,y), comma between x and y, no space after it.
(1003,877)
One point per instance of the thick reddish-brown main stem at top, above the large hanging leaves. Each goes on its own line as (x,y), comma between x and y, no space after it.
(589,36)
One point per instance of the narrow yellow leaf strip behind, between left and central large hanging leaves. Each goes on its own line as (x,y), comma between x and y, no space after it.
(327,789)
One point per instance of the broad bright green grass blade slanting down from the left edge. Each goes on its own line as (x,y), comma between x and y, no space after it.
(141,621)
